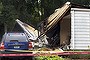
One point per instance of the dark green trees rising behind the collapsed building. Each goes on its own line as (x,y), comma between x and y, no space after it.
(30,11)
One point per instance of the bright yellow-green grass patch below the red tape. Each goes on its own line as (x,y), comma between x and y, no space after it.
(48,58)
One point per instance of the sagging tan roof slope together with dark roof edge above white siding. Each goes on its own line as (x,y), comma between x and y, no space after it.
(59,13)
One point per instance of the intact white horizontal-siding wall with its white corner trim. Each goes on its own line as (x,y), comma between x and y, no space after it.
(80,28)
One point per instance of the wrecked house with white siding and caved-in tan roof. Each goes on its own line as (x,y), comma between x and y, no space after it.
(68,25)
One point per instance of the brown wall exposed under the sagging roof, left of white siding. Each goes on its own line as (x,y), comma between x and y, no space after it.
(65,30)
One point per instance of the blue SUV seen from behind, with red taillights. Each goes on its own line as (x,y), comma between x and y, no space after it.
(17,41)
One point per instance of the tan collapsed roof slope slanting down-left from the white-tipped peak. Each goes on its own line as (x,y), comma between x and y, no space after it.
(58,14)
